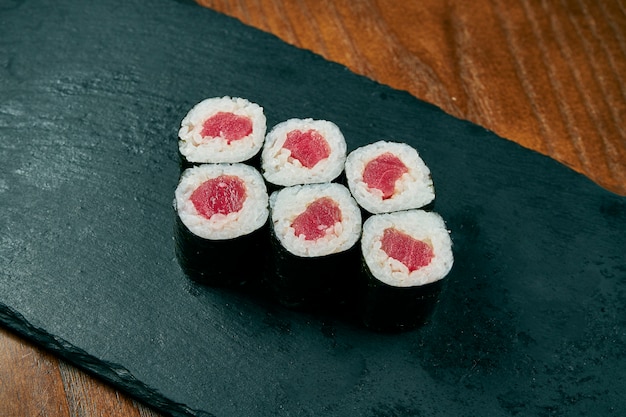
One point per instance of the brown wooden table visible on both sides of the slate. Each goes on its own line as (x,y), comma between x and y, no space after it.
(549,75)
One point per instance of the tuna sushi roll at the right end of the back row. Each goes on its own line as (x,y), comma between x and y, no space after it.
(389,176)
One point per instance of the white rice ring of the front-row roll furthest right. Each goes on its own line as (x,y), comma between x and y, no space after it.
(421,225)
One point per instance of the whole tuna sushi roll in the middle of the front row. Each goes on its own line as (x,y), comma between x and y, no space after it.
(314,230)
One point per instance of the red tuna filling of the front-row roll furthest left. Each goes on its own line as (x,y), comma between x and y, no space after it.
(224,194)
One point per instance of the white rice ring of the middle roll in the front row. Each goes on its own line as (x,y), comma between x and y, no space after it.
(288,203)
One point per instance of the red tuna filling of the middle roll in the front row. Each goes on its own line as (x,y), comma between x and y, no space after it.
(319,216)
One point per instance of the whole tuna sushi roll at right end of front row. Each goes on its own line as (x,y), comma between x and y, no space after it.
(405,257)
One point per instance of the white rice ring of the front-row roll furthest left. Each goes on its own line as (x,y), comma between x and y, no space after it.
(251,217)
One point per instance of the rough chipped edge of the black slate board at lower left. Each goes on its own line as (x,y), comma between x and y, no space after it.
(115,375)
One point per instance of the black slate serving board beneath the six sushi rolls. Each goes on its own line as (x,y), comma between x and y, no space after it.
(531,320)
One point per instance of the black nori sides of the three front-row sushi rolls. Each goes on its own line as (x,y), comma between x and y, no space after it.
(338,287)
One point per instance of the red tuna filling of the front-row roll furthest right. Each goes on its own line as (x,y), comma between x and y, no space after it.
(413,253)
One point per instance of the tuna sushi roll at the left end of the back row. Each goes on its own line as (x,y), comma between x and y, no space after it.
(222,130)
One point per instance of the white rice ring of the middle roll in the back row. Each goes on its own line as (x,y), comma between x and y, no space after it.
(280,169)
